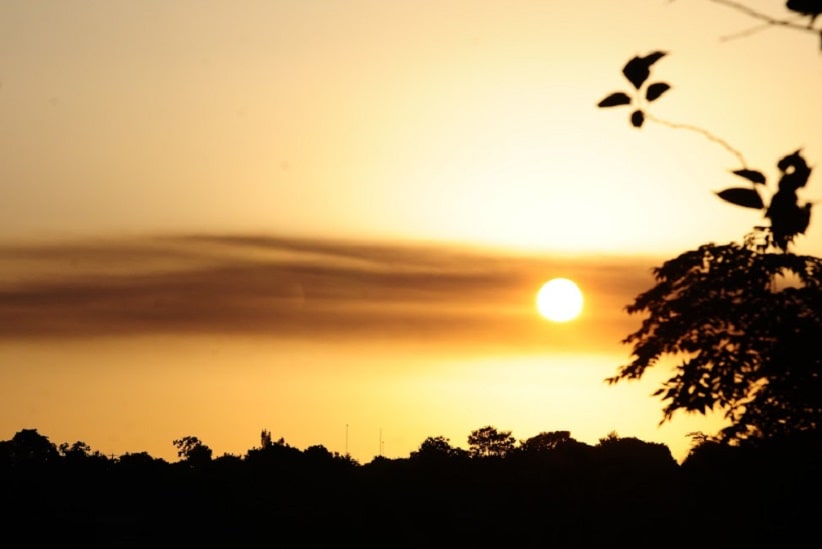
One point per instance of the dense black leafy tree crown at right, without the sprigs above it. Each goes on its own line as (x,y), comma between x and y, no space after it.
(748,343)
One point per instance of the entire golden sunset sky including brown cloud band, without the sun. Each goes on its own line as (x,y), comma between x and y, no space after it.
(331,217)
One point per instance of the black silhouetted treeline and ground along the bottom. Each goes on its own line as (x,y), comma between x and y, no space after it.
(567,494)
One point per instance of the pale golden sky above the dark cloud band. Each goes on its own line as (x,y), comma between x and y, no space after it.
(450,120)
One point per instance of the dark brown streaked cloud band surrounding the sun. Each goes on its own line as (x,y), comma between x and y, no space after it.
(299,288)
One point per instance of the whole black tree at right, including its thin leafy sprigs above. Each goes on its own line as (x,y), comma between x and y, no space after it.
(743,320)
